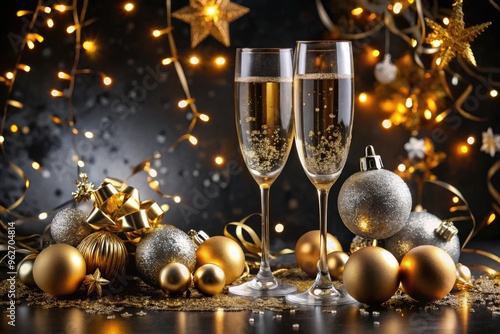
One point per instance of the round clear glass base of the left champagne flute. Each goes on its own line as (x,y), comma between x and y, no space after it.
(255,288)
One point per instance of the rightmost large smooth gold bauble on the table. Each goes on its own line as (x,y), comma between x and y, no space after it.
(427,273)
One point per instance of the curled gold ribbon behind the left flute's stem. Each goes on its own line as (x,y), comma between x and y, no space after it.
(253,246)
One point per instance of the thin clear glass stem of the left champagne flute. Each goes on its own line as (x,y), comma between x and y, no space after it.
(265,273)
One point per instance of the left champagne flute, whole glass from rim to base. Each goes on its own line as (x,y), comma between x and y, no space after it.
(264,121)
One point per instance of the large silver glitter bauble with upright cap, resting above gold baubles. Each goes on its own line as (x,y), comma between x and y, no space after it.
(374,203)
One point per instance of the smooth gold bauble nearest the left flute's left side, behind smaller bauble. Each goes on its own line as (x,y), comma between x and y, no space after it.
(224,252)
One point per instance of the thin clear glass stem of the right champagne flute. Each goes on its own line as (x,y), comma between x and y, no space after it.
(323,280)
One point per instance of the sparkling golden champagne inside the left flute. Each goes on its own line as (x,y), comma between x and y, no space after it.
(265,124)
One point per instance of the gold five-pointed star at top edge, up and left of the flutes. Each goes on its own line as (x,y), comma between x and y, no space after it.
(210,17)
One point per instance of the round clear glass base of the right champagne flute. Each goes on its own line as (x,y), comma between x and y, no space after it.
(315,296)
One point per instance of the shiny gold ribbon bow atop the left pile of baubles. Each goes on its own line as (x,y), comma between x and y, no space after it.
(118,208)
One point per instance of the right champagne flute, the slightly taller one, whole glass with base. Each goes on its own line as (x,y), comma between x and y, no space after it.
(323,93)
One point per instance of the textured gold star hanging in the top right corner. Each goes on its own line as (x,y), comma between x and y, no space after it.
(454,38)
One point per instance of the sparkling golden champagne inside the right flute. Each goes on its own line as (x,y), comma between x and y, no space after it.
(323,112)
